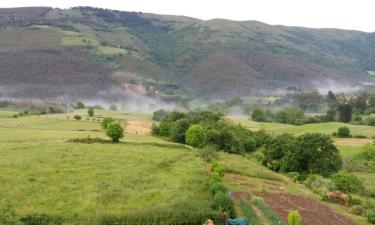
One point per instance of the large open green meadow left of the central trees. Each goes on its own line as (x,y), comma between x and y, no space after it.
(41,172)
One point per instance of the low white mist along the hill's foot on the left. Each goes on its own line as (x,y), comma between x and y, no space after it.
(124,99)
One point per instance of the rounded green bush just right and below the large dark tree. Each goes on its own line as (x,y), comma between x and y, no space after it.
(347,183)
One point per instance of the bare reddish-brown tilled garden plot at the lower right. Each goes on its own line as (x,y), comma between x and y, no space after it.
(312,212)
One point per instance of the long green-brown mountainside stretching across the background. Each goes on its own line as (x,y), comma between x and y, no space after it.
(86,52)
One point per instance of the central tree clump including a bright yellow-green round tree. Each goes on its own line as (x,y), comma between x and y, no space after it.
(207,128)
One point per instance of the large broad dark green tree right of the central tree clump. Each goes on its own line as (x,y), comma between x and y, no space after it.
(308,153)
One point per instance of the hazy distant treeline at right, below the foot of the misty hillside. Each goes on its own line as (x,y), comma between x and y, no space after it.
(356,109)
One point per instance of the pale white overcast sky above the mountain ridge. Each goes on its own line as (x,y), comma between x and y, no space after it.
(345,14)
